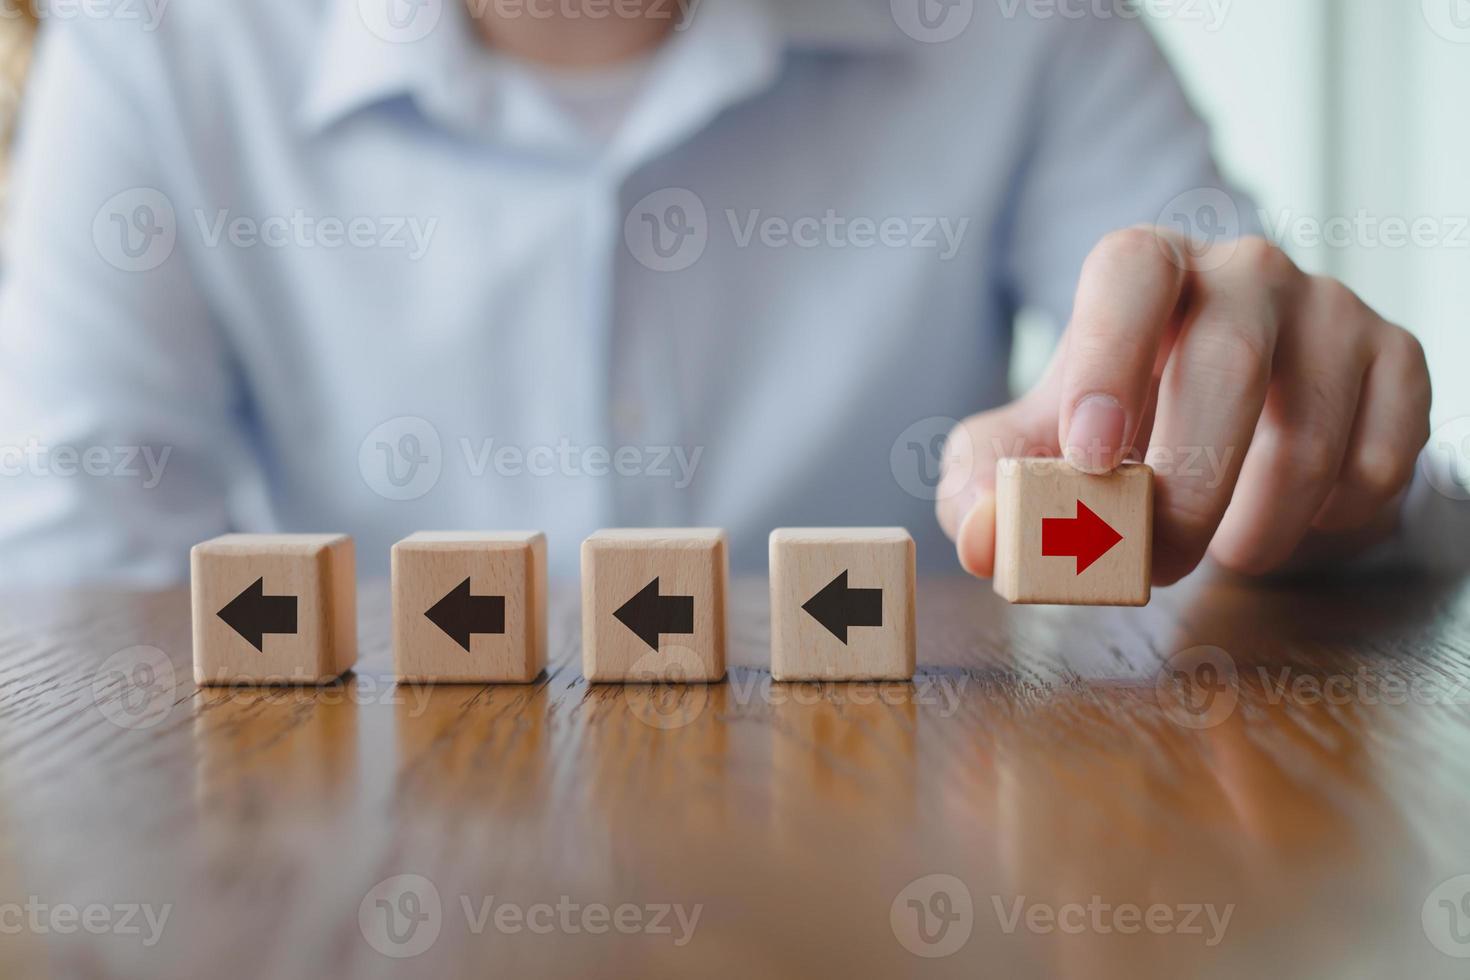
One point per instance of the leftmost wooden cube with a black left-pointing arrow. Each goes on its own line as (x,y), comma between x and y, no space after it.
(274,609)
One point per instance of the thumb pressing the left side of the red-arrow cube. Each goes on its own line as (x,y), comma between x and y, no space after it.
(967,508)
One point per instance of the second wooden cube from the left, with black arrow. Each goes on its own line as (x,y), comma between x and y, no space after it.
(470,608)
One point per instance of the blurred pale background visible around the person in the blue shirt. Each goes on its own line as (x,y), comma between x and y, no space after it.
(1343,120)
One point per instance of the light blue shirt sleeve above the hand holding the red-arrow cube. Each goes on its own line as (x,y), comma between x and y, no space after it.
(1115,143)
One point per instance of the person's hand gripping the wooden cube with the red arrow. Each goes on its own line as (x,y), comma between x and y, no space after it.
(1280,412)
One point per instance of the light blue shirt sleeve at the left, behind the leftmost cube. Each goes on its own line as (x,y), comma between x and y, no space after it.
(118,400)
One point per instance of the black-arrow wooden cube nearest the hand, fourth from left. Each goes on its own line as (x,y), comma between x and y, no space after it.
(842,605)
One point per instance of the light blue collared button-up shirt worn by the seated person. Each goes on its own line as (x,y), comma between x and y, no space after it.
(331,265)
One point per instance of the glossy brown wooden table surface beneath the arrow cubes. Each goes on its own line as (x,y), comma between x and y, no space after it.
(1237,781)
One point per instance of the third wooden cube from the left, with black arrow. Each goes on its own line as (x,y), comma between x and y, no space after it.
(653,606)
